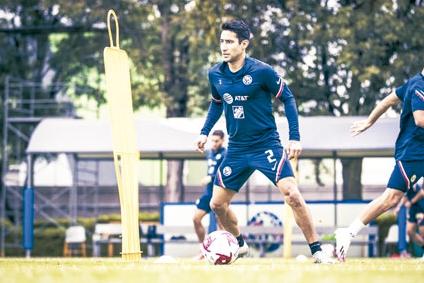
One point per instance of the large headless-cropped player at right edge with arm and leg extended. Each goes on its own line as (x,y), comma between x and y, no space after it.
(409,156)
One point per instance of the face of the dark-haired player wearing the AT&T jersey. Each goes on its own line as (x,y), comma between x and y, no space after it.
(231,50)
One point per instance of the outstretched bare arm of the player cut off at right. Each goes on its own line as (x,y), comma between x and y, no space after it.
(360,126)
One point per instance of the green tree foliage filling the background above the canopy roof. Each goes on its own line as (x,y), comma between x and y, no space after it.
(339,58)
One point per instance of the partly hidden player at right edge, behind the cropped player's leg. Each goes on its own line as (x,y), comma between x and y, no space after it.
(414,202)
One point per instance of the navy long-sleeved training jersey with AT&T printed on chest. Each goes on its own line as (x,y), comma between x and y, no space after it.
(246,96)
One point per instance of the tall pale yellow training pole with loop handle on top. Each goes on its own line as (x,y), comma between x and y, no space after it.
(125,153)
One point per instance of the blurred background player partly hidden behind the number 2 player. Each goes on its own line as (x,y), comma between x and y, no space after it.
(214,157)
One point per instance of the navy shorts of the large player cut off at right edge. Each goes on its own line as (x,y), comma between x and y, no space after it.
(405,175)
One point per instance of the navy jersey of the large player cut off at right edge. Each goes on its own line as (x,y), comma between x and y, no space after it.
(410,141)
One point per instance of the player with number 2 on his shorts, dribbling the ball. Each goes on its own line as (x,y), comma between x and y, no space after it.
(243,87)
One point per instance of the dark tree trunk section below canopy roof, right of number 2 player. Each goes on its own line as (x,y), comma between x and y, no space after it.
(352,171)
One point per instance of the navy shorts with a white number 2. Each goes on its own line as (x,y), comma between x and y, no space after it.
(238,166)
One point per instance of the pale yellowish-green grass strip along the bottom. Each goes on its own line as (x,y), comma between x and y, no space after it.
(358,270)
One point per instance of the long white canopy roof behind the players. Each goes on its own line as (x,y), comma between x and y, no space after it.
(174,137)
